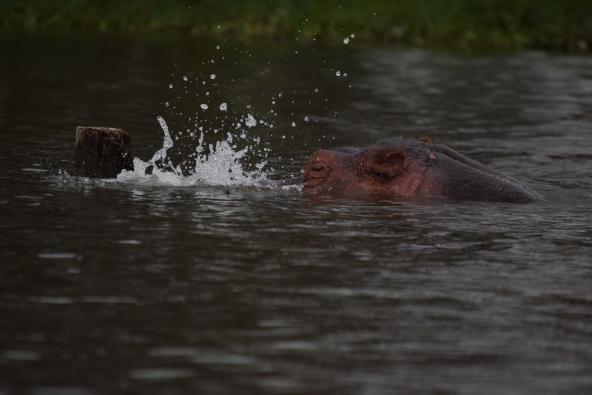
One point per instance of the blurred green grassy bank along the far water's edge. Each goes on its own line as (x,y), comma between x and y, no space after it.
(562,25)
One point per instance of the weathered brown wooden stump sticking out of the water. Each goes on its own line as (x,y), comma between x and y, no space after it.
(101,152)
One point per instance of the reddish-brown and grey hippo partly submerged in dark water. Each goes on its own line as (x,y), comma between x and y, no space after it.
(404,168)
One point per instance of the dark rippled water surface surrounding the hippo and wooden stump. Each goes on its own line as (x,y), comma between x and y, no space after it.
(147,288)
